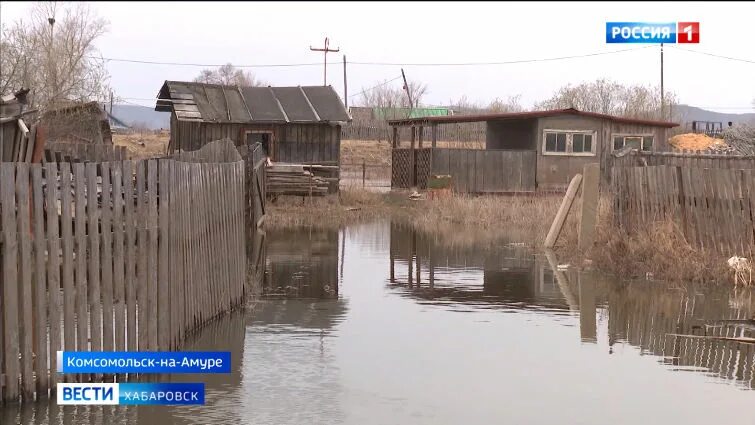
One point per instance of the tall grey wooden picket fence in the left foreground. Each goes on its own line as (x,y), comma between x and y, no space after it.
(114,256)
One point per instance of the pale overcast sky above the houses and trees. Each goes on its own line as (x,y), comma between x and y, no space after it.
(249,33)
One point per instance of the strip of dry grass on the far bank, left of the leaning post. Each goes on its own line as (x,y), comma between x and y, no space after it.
(466,219)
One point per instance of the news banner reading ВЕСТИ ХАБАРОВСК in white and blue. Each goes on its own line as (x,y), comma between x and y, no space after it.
(130,394)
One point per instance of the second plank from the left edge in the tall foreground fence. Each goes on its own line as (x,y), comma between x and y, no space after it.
(25,282)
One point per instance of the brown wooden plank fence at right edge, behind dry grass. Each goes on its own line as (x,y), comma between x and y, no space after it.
(712,206)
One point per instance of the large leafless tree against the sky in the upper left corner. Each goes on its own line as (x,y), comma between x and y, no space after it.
(53,54)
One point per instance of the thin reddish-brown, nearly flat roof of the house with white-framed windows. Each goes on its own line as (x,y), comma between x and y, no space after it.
(453,119)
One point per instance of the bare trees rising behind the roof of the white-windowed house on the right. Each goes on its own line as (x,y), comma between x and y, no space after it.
(609,97)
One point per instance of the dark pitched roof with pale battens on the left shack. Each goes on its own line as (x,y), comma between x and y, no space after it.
(217,103)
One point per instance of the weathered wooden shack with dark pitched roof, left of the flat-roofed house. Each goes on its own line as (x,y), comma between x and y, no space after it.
(293,124)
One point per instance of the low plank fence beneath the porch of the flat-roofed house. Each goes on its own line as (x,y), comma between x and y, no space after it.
(471,170)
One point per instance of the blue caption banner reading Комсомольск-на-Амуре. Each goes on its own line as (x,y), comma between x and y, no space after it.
(144,362)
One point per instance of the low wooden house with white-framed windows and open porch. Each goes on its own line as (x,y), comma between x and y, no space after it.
(523,151)
